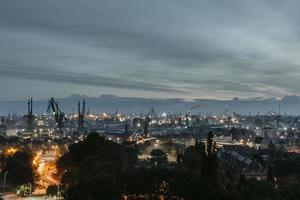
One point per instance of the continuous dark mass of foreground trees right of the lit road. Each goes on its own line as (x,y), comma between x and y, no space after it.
(100,169)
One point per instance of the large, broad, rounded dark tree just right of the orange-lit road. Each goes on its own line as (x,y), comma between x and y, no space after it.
(93,168)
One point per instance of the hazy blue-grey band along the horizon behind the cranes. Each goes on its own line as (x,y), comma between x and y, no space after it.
(111,103)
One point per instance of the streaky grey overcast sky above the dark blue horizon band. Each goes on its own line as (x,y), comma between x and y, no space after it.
(149,48)
